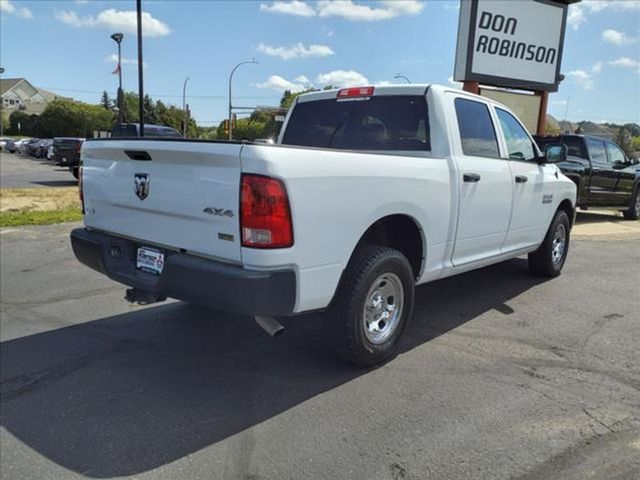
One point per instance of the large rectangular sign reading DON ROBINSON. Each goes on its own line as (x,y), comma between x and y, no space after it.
(511,43)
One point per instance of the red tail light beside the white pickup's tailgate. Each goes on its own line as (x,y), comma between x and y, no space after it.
(265,216)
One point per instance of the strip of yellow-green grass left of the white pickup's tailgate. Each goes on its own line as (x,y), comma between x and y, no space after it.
(39,206)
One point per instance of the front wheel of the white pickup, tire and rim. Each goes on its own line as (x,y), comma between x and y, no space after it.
(549,259)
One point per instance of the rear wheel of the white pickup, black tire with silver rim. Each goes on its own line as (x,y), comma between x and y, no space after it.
(372,274)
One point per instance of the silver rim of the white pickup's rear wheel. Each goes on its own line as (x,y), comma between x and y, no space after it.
(383,308)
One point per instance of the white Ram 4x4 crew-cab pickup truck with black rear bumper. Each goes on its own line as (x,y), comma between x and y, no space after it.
(368,192)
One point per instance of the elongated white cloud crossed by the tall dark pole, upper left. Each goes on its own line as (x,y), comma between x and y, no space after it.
(122,20)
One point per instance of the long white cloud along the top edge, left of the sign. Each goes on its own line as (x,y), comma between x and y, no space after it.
(346,9)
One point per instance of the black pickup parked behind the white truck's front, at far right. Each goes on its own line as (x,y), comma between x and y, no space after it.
(605,177)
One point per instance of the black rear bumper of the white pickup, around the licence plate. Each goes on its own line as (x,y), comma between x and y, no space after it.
(189,278)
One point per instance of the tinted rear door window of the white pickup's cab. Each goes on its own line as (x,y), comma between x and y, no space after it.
(476,129)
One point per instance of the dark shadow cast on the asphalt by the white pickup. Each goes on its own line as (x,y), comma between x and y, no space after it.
(129,393)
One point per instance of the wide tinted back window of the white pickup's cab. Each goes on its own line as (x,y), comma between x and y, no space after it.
(376,123)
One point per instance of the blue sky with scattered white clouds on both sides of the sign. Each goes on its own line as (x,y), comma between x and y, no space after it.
(65,47)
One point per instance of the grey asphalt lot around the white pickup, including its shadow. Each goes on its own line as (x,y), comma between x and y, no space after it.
(502,376)
